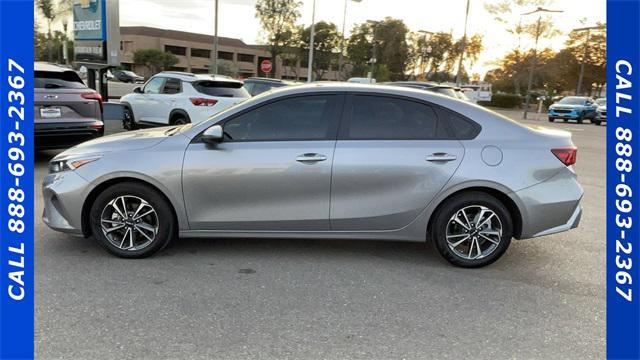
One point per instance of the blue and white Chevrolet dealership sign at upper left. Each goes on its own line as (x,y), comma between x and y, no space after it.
(96,29)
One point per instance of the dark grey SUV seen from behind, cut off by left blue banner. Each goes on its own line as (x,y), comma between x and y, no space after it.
(66,111)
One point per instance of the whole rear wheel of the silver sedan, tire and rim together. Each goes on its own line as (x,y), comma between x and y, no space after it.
(472,230)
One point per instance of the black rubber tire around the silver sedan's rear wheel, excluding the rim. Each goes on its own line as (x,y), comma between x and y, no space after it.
(454,205)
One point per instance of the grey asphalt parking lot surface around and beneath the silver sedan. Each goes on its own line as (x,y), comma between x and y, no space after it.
(295,299)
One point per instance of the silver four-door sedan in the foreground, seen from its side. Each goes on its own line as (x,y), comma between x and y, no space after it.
(323,161)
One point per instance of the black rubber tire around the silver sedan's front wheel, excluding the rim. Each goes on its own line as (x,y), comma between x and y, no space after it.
(164,220)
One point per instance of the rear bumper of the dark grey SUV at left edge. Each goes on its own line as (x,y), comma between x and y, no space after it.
(65,134)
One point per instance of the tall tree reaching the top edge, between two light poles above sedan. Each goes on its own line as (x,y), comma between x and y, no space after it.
(278,18)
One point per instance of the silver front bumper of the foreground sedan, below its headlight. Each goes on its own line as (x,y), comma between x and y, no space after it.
(64,195)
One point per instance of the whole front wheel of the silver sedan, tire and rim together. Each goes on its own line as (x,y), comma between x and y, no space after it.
(131,220)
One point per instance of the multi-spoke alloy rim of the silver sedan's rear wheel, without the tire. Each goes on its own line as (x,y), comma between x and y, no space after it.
(474,232)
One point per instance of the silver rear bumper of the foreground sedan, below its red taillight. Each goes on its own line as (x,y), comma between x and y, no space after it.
(552,206)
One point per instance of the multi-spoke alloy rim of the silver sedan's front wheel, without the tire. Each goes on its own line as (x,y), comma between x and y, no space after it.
(129,223)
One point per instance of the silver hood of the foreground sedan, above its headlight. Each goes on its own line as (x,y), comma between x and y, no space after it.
(125,141)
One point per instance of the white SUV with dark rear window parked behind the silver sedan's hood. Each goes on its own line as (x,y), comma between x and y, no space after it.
(171,98)
